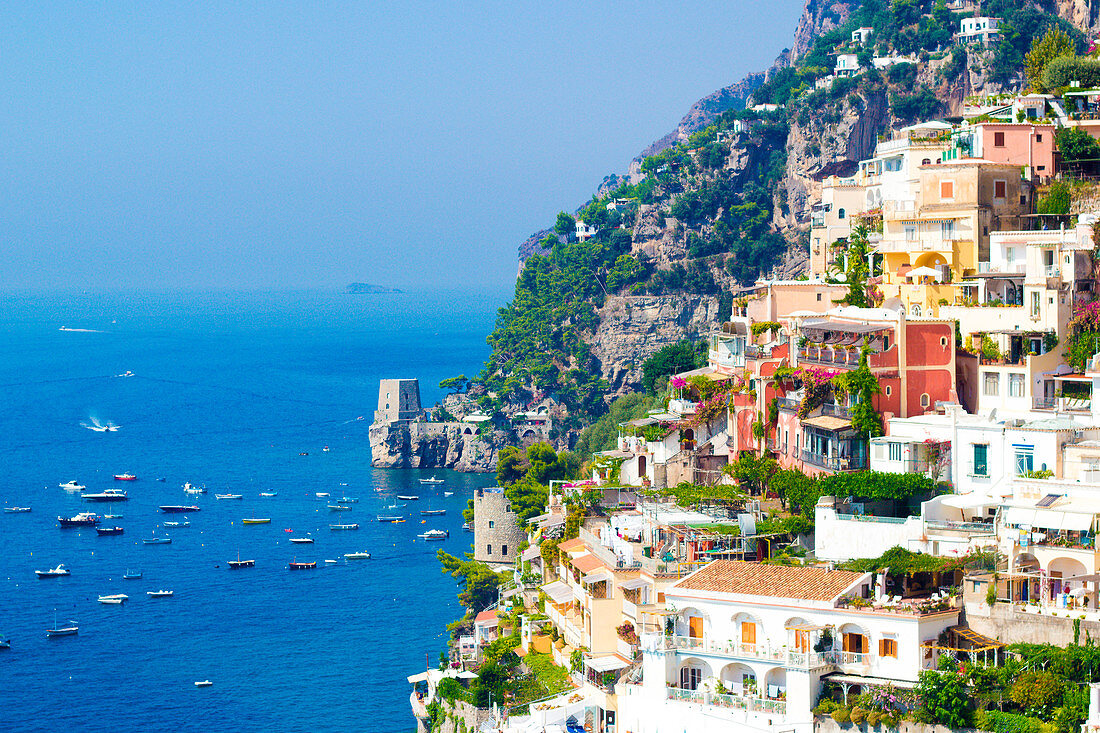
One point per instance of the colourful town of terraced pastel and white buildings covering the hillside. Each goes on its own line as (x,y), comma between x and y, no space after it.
(878,500)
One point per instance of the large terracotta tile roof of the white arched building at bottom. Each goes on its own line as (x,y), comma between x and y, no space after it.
(811,584)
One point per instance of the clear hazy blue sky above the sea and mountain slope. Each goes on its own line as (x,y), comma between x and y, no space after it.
(313,145)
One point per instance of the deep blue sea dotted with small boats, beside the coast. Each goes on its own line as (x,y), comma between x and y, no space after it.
(239,392)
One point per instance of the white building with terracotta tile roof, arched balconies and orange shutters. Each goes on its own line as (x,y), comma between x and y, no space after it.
(752,646)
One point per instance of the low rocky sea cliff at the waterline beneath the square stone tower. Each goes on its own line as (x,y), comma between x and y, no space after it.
(416,445)
